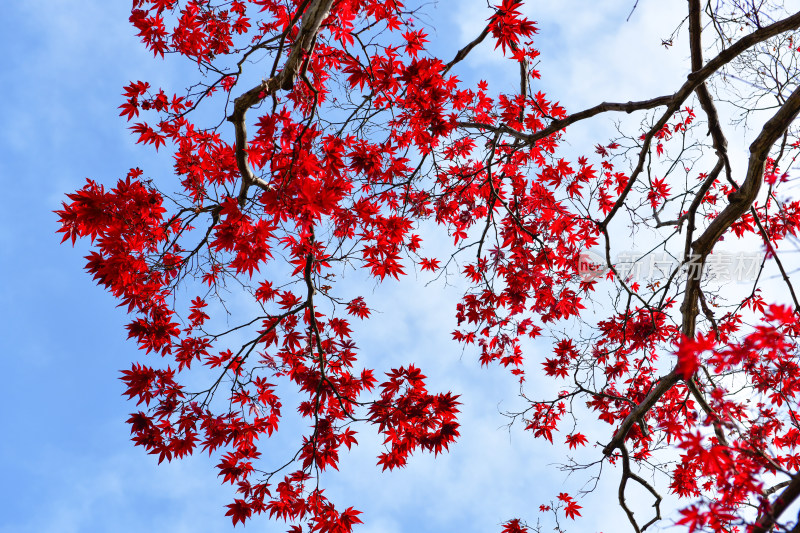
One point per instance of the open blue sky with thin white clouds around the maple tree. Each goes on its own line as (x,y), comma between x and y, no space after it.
(67,462)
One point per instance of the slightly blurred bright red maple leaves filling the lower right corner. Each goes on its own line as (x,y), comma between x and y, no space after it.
(734,470)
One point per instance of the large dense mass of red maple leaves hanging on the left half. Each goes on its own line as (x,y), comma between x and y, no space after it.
(351,183)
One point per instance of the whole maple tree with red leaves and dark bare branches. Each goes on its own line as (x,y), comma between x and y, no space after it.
(346,133)
